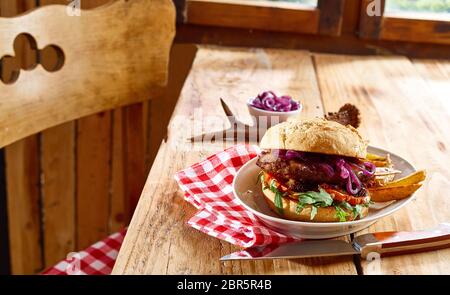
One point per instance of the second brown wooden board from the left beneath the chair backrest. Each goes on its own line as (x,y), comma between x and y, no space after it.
(58,191)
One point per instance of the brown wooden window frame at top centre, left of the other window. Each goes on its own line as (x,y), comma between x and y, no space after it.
(325,19)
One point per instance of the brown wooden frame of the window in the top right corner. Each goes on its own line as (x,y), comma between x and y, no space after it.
(406,27)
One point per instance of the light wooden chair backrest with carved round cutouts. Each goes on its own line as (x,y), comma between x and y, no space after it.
(104,58)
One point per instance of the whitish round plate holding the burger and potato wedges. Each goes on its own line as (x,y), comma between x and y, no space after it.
(245,181)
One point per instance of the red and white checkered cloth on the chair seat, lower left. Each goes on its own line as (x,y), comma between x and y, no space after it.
(98,259)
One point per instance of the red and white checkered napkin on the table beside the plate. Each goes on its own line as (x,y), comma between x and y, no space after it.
(208,186)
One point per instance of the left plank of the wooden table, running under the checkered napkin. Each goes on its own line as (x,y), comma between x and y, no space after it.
(158,240)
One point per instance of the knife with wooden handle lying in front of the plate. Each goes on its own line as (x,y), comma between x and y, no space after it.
(383,243)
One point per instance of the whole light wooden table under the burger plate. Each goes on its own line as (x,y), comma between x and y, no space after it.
(405,107)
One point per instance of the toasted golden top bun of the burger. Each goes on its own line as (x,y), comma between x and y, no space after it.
(316,136)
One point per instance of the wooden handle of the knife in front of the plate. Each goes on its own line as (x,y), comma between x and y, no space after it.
(396,243)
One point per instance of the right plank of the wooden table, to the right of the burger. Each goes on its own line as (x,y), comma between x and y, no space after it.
(404,114)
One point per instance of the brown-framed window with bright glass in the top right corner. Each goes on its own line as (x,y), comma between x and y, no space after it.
(407,20)
